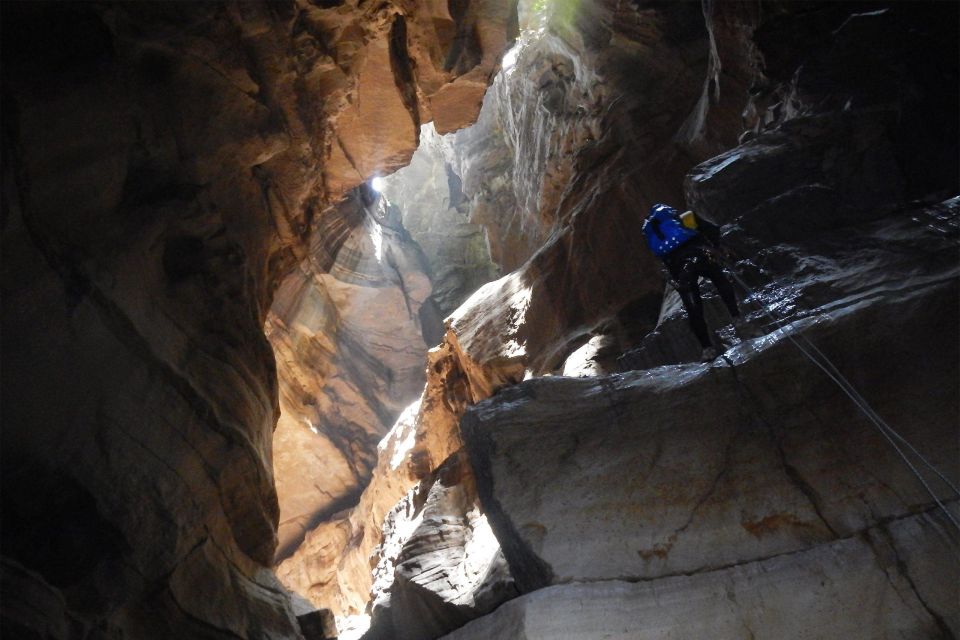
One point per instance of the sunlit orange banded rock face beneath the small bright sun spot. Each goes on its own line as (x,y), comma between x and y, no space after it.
(349,341)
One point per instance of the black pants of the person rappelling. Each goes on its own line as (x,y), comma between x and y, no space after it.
(687,264)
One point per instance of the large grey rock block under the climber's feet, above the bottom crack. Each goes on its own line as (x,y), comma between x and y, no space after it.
(770,444)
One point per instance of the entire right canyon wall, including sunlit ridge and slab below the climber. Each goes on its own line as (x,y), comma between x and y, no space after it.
(836,199)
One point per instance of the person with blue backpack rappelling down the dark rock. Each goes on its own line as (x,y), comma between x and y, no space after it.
(689,247)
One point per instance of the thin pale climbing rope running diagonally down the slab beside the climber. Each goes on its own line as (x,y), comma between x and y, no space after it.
(817,357)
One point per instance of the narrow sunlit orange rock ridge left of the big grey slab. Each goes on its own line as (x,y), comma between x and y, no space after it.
(460,371)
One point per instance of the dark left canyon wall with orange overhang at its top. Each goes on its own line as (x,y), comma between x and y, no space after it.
(164,168)
